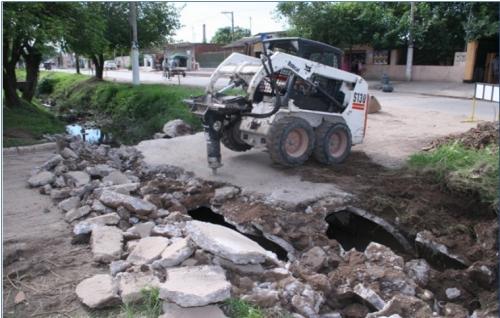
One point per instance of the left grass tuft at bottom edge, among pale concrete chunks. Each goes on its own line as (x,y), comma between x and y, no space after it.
(150,307)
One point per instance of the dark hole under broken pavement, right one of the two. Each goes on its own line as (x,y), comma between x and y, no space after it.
(353,230)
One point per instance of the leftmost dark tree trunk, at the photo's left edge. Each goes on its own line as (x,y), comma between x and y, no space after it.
(9,71)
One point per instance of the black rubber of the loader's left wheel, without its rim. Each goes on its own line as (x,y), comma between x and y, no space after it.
(278,135)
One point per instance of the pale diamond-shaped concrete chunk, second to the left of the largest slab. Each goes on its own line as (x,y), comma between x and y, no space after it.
(147,250)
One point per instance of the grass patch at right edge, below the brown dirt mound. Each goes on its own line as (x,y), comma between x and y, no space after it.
(462,169)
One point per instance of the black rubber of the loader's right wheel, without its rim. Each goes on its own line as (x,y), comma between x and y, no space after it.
(324,133)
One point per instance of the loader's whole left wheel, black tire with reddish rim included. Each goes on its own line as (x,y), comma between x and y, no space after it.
(290,141)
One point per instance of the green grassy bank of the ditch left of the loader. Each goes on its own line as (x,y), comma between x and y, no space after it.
(135,112)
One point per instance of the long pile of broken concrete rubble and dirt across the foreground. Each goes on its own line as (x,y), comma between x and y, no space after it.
(135,219)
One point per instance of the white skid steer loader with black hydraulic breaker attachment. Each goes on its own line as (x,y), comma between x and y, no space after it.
(293,100)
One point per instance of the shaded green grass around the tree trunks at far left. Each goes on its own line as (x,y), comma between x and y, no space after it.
(25,125)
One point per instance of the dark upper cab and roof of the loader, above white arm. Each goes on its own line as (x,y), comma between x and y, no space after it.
(308,49)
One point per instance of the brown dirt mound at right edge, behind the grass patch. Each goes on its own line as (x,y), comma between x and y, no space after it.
(483,135)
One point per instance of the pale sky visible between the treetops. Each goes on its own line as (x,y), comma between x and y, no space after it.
(195,14)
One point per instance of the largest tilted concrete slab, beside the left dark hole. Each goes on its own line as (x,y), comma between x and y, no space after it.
(224,242)
